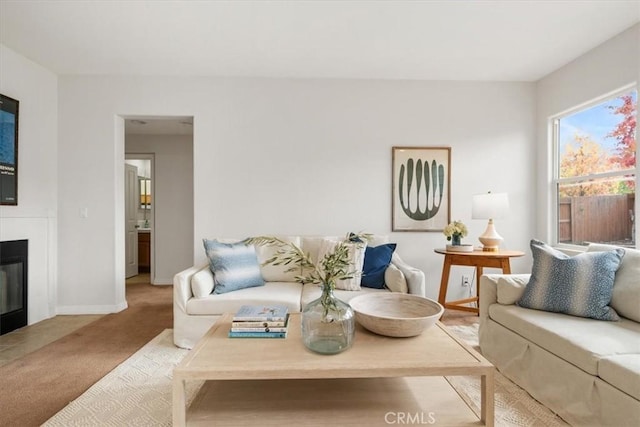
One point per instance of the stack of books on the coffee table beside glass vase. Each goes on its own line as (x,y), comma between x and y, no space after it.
(259,321)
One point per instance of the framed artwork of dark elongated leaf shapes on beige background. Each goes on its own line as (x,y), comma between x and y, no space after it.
(421,187)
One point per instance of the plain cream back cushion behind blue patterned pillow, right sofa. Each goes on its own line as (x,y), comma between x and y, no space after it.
(626,286)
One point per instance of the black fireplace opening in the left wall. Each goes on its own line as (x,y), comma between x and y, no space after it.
(13,285)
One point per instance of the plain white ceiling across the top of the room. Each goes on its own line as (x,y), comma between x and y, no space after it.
(475,40)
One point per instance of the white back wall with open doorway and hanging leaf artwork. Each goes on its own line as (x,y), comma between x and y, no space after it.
(290,156)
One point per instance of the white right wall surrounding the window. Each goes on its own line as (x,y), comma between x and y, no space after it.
(606,68)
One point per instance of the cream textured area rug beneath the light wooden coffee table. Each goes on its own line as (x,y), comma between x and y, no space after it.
(138,392)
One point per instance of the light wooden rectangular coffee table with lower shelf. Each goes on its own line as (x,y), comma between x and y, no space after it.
(379,381)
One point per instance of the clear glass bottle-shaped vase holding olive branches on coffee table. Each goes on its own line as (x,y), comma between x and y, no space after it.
(328,324)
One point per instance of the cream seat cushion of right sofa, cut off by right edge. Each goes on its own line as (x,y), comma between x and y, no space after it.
(622,372)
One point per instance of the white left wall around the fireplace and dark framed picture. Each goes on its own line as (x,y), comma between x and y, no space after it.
(34,217)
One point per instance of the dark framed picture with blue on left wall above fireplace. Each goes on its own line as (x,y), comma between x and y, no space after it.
(8,150)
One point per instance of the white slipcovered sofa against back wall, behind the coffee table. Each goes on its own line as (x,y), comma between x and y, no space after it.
(193,316)
